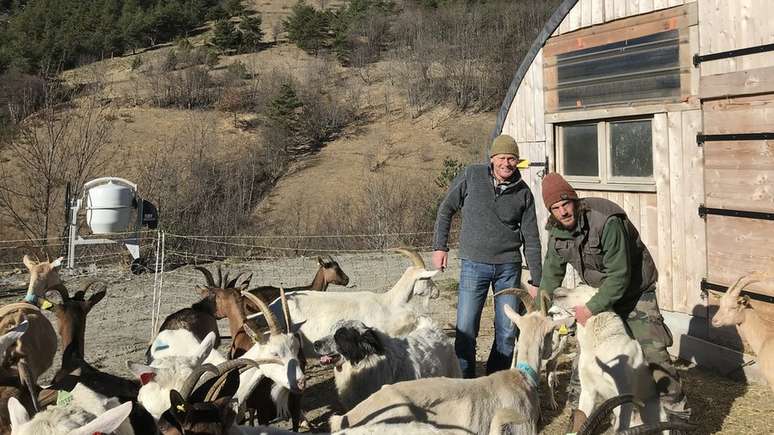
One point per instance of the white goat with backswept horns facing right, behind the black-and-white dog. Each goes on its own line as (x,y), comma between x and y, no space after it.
(316,312)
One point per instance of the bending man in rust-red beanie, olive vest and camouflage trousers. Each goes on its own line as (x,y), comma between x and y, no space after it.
(595,236)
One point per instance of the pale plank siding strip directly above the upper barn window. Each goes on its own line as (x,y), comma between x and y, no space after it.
(587,13)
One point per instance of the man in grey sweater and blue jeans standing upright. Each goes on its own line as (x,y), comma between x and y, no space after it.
(498,216)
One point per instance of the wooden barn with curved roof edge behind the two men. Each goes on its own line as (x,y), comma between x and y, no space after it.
(667,108)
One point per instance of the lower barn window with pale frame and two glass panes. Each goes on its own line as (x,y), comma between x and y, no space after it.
(610,154)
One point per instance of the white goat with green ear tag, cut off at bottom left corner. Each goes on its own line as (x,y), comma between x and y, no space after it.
(87,413)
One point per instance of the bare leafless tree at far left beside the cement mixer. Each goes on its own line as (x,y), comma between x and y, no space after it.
(58,144)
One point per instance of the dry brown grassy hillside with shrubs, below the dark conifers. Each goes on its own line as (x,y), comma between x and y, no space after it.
(203,143)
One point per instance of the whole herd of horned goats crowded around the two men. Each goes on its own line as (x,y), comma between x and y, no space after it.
(395,369)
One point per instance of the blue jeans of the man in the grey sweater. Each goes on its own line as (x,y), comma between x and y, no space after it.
(475,280)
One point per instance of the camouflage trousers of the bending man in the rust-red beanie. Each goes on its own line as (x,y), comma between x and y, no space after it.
(647,326)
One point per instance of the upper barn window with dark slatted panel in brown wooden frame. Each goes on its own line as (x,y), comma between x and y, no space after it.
(639,60)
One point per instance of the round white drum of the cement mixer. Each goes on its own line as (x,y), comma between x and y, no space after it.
(109,208)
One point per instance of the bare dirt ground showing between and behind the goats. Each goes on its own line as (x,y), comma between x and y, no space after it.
(118,330)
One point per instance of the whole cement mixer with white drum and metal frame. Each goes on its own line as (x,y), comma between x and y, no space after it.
(113,206)
